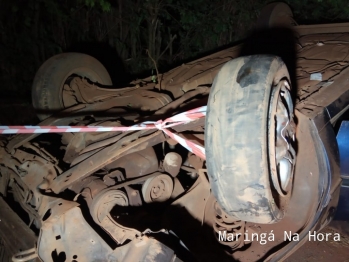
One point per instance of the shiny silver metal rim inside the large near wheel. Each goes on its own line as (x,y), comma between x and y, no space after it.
(282,138)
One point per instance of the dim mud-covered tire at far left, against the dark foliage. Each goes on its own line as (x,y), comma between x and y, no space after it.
(47,89)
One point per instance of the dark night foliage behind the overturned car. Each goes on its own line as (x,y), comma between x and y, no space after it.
(145,34)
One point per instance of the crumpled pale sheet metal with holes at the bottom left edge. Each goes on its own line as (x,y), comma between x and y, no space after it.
(66,236)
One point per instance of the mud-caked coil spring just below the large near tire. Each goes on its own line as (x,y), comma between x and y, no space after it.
(229,231)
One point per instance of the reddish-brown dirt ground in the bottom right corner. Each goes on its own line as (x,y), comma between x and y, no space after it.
(323,251)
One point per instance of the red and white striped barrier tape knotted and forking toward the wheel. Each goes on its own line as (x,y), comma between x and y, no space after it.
(179,119)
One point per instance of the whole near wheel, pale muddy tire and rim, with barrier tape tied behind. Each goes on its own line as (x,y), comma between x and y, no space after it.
(249,138)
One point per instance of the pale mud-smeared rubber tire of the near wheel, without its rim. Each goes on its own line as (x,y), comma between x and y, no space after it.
(237,134)
